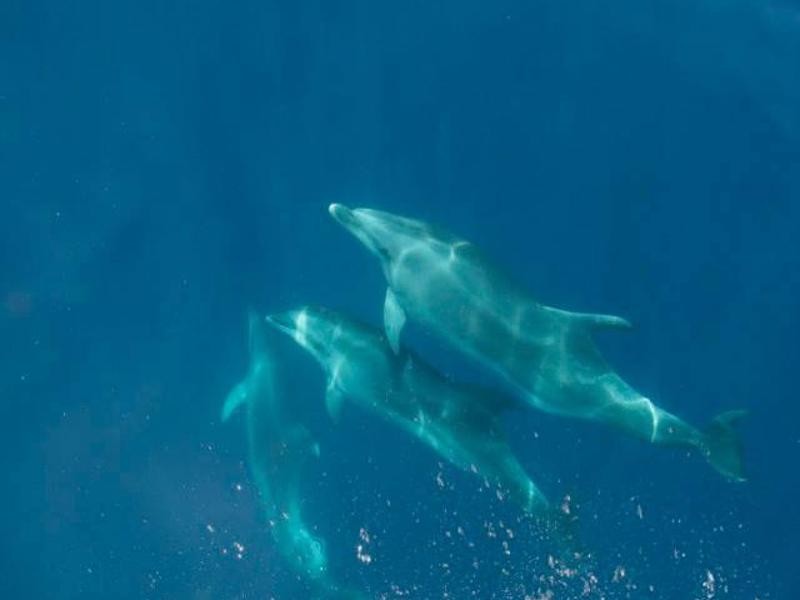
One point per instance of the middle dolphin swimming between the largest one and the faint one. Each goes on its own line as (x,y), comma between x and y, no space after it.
(459,422)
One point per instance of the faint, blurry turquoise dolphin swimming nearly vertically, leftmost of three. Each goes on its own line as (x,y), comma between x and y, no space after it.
(280,448)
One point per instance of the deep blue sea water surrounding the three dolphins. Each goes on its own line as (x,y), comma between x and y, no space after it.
(164,166)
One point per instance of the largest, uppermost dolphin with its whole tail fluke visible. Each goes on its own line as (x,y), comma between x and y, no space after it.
(547,354)
